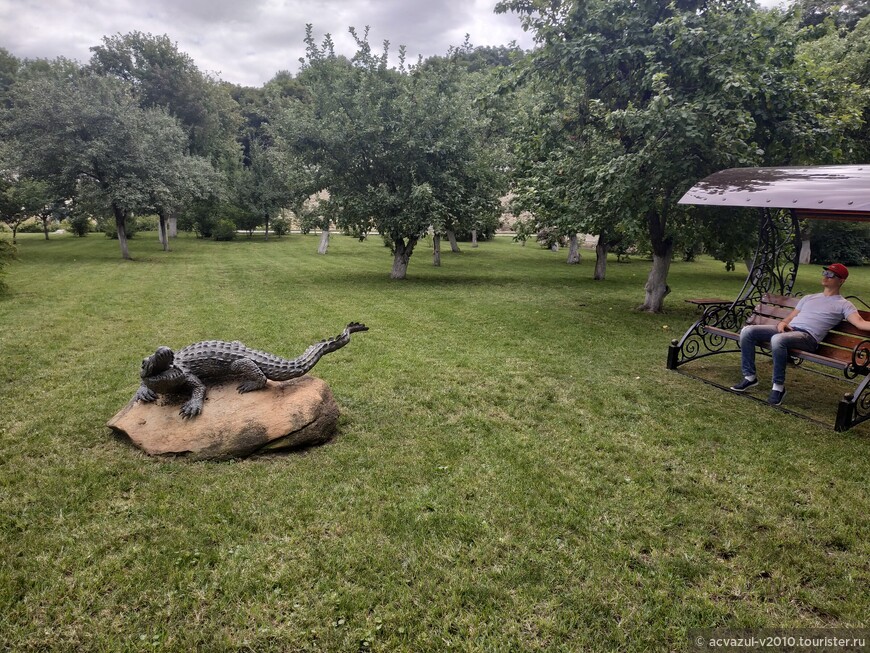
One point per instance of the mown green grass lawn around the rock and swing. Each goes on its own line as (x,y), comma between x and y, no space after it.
(516,469)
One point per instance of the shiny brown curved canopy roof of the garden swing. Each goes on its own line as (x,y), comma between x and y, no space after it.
(814,192)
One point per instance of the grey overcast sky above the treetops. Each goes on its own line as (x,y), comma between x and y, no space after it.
(248,41)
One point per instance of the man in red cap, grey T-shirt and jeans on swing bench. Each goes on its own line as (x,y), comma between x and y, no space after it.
(804,328)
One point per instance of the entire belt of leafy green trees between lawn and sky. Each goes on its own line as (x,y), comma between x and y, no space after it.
(621,107)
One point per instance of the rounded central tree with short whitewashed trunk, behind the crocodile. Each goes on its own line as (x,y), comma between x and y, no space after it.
(399,149)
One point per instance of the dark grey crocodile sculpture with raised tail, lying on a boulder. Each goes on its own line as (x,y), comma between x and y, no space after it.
(168,372)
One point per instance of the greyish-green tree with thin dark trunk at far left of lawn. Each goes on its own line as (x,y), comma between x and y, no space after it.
(82,130)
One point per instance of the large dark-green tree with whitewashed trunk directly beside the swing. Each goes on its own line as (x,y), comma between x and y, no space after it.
(644,99)
